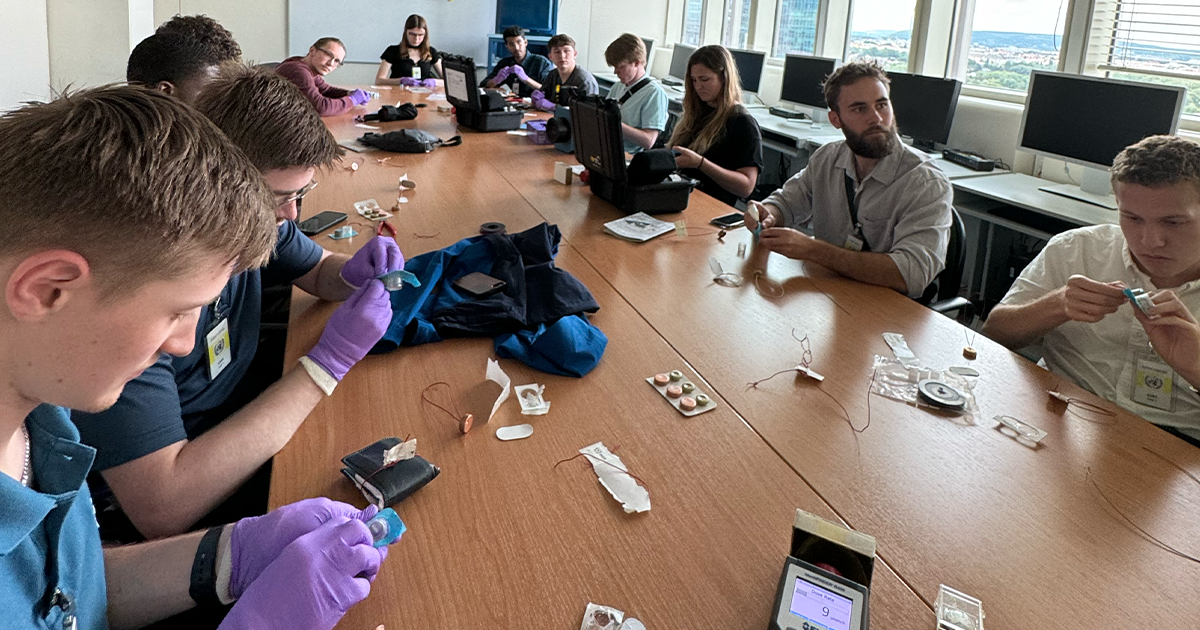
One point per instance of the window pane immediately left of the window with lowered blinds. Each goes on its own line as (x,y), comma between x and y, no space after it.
(1010,39)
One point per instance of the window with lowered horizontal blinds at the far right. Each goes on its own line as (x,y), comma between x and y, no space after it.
(1156,43)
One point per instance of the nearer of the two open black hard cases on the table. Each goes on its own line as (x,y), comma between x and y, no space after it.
(599,146)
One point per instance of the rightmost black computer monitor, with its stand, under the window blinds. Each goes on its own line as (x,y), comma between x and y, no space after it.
(1089,121)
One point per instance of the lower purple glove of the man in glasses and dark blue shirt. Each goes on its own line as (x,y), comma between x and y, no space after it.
(353,329)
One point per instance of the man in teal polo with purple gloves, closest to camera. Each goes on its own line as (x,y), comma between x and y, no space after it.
(133,212)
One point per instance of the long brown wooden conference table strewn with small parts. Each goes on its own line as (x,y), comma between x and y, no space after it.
(503,539)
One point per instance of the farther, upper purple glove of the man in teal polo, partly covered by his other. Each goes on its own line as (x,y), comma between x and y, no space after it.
(256,542)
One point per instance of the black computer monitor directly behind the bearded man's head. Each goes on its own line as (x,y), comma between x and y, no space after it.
(925,107)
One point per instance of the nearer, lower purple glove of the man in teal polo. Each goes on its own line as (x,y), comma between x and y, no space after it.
(313,584)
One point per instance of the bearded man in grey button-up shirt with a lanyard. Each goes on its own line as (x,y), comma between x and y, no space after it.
(879,211)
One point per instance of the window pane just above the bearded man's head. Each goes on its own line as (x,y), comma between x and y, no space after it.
(883,31)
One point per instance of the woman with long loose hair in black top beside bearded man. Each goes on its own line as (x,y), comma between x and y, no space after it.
(718,141)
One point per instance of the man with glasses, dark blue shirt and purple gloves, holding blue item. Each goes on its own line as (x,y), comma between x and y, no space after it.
(183,441)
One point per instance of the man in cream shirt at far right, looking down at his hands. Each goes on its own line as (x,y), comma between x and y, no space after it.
(1071,302)
